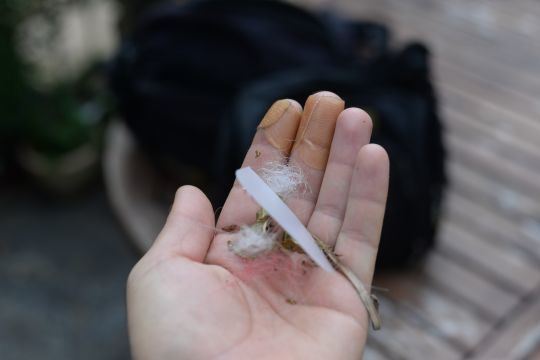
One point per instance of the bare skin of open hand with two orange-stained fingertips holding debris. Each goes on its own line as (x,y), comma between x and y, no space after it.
(189,297)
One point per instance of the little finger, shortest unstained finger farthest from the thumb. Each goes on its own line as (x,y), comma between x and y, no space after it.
(358,239)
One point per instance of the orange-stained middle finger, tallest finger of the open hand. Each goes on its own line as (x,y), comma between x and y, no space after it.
(312,146)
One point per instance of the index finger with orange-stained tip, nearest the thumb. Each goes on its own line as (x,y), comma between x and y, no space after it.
(272,143)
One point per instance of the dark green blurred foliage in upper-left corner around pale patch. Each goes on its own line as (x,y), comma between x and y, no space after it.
(53,120)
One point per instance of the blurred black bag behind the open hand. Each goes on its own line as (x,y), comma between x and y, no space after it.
(224,63)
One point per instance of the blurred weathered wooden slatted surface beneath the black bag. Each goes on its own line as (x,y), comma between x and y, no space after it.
(478,294)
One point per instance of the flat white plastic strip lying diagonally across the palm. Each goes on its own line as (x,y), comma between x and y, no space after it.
(277,209)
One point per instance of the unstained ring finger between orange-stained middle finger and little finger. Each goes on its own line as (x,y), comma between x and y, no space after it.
(353,131)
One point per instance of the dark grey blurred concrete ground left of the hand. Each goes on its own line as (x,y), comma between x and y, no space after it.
(63,268)
